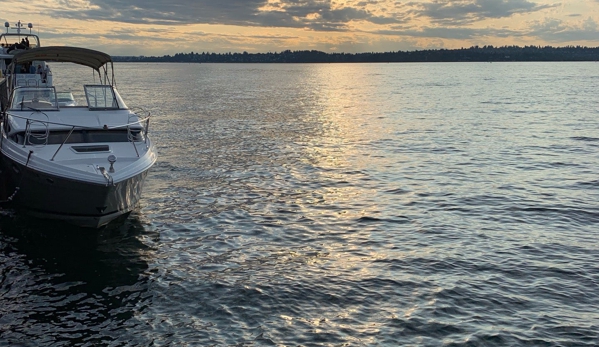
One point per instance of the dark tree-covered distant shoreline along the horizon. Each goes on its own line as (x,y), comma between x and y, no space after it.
(472,54)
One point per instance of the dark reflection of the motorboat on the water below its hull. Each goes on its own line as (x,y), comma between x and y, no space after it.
(62,283)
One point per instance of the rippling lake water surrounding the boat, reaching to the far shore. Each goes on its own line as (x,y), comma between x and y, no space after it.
(333,205)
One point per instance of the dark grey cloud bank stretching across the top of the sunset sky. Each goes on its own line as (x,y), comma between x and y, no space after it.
(449,18)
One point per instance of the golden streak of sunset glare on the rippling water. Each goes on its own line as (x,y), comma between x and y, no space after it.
(340,154)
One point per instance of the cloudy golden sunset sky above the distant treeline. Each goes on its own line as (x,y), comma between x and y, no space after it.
(166,27)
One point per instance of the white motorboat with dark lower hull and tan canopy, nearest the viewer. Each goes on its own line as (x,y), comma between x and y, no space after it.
(81,163)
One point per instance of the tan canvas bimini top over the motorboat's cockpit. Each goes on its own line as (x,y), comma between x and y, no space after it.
(64,54)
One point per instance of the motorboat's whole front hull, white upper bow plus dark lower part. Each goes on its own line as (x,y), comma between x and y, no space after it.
(70,186)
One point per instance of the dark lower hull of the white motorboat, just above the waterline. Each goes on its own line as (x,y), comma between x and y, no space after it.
(81,203)
